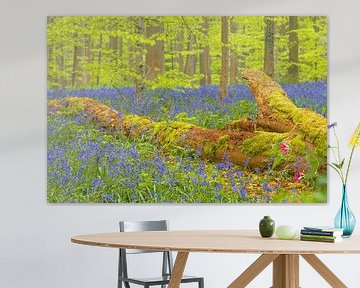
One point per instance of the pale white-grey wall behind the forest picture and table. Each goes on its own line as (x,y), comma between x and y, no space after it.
(35,248)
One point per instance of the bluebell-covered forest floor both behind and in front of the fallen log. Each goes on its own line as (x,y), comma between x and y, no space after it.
(89,165)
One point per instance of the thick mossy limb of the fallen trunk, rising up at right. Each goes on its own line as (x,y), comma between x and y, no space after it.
(277,113)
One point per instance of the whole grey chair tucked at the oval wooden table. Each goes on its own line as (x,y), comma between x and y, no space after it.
(167,262)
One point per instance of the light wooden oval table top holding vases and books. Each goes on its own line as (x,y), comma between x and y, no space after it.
(217,241)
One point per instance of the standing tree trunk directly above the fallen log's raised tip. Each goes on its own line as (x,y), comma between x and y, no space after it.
(269,34)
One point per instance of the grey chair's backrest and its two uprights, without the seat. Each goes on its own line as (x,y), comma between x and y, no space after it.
(134,226)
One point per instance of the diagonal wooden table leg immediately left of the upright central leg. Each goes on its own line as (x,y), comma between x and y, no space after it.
(253,270)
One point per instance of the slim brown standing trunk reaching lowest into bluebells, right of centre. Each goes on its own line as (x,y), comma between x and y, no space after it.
(224,58)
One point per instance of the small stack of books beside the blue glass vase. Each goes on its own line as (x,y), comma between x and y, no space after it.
(321,234)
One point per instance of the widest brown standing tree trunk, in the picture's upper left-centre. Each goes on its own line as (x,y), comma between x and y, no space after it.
(155,57)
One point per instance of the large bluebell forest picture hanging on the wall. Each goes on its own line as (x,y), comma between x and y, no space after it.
(187,109)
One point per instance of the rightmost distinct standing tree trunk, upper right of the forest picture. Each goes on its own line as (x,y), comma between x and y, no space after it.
(293,49)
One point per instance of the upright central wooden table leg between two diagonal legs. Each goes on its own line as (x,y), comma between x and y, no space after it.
(286,271)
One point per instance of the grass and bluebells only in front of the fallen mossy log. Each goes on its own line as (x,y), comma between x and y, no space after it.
(87,165)
